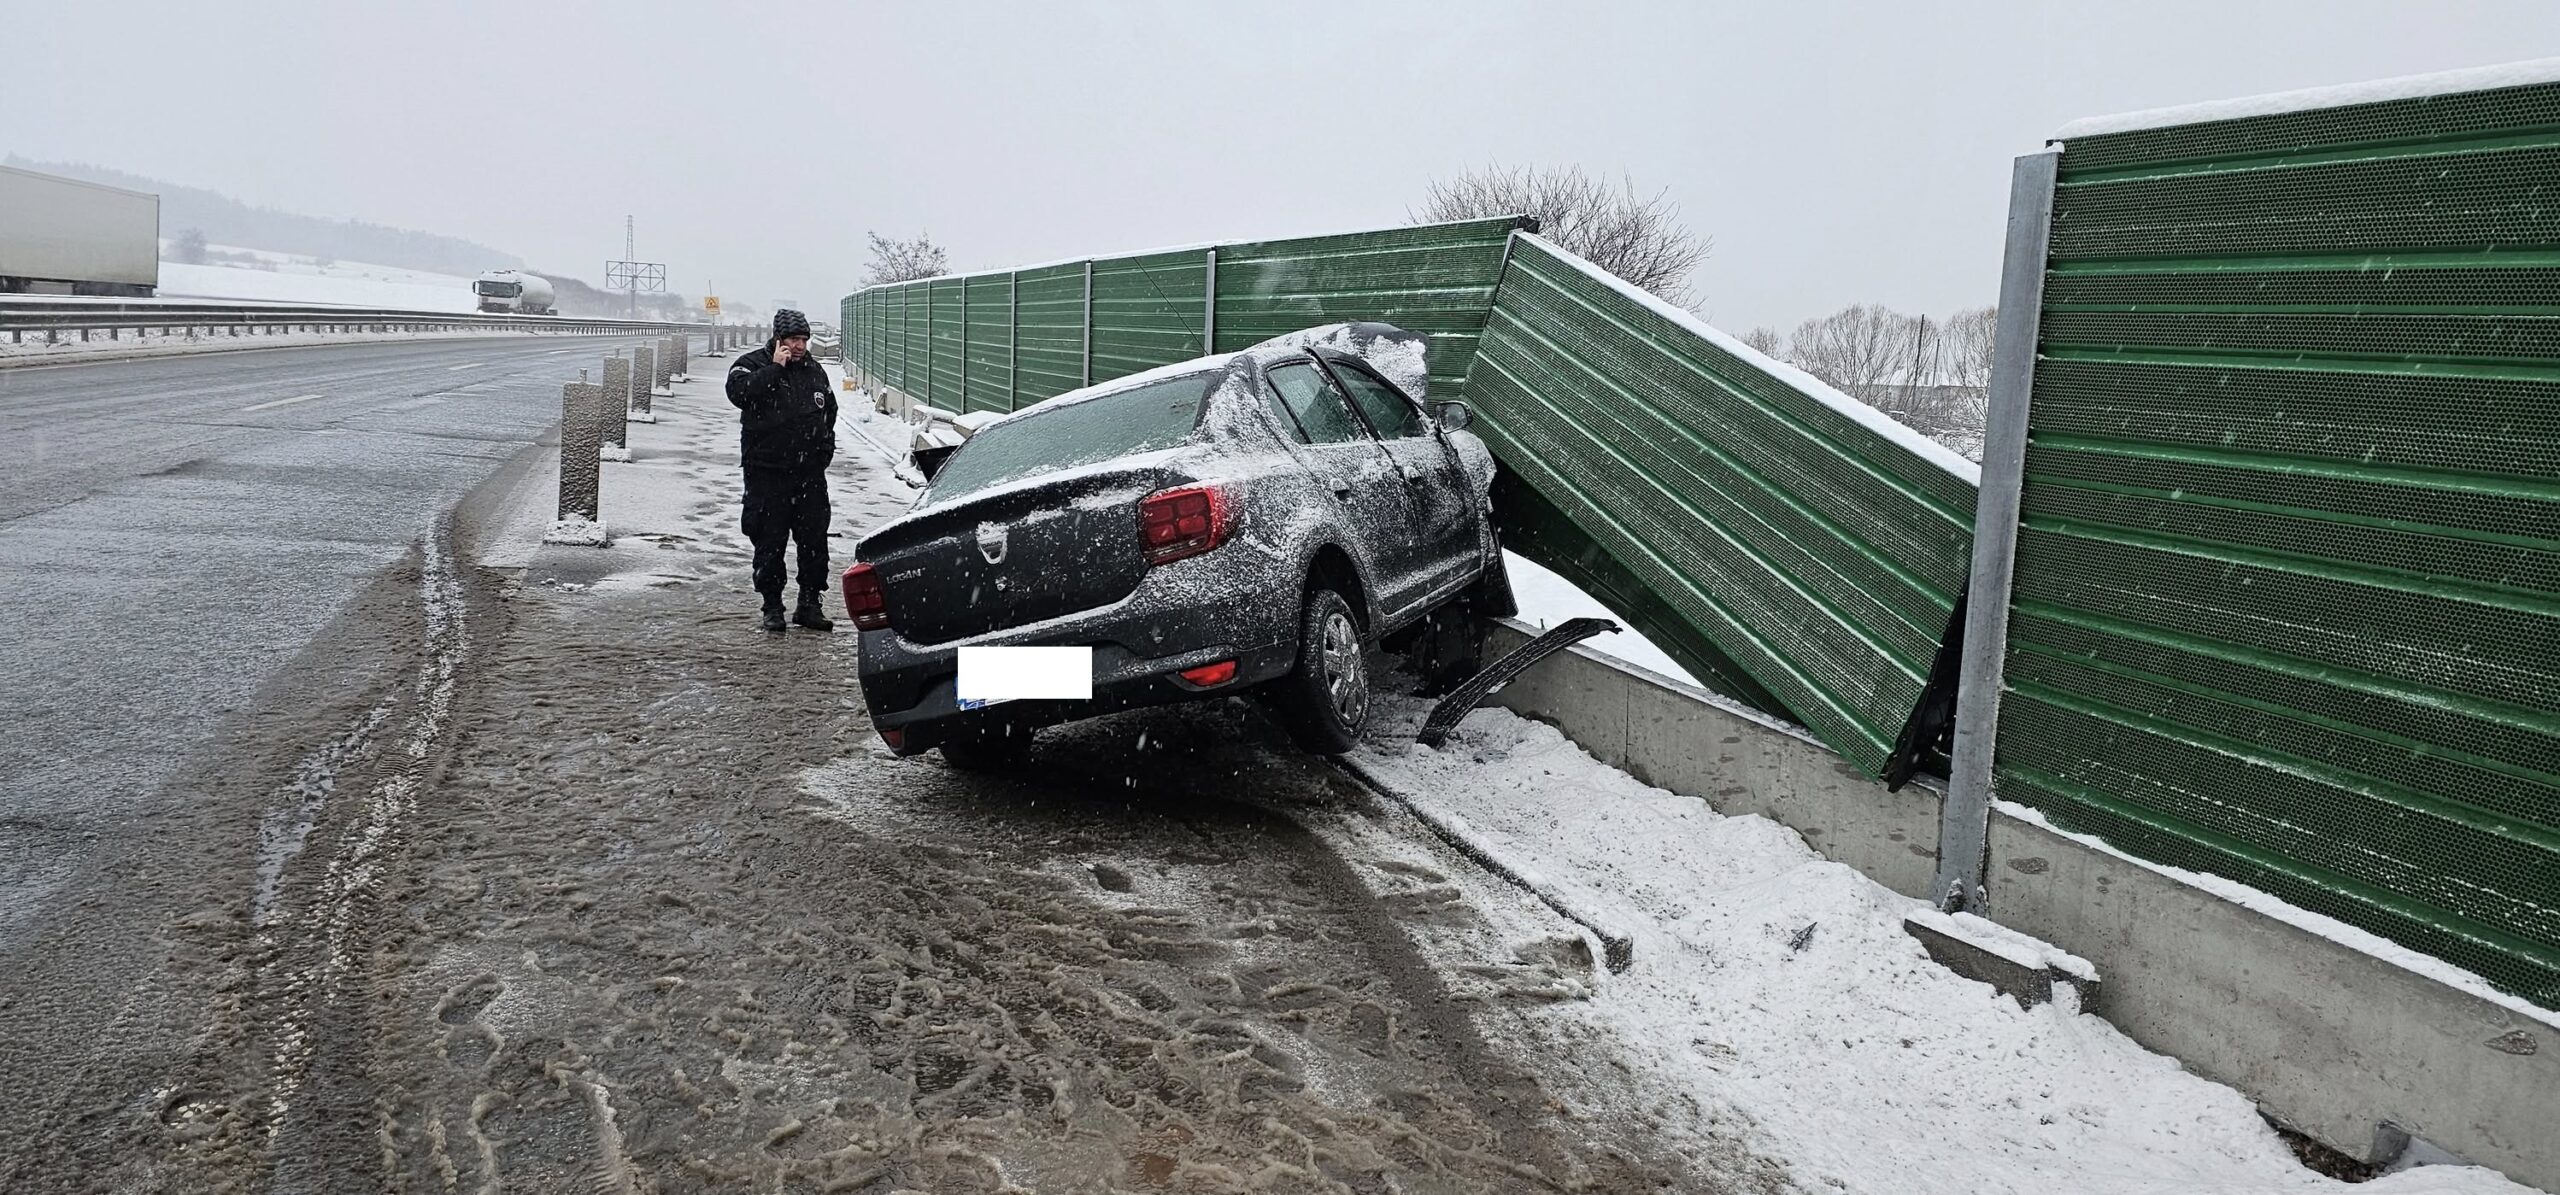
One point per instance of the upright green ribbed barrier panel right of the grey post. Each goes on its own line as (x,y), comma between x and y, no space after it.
(2287,597)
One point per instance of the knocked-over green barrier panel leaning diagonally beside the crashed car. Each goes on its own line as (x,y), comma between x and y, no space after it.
(1780,541)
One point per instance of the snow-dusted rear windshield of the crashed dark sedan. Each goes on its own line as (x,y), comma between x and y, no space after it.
(1092,431)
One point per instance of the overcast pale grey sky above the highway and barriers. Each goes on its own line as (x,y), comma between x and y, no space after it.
(1837,152)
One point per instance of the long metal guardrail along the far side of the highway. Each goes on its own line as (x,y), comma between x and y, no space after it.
(55,319)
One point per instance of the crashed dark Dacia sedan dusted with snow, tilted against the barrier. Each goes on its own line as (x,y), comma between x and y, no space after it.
(1225,526)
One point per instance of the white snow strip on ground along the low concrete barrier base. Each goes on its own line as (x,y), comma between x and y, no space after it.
(1780,994)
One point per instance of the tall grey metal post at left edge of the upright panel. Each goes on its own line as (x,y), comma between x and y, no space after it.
(1965,820)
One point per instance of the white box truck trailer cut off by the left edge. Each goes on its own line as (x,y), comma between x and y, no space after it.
(68,237)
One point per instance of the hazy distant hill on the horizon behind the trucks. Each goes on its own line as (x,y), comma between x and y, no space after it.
(234,224)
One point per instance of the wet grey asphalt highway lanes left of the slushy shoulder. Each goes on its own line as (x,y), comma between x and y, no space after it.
(175,531)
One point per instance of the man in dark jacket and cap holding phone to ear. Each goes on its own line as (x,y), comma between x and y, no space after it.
(787,439)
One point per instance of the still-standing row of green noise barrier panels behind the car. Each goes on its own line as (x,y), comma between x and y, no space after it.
(1007,339)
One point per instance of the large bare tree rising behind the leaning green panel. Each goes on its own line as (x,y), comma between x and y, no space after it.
(1617,229)
